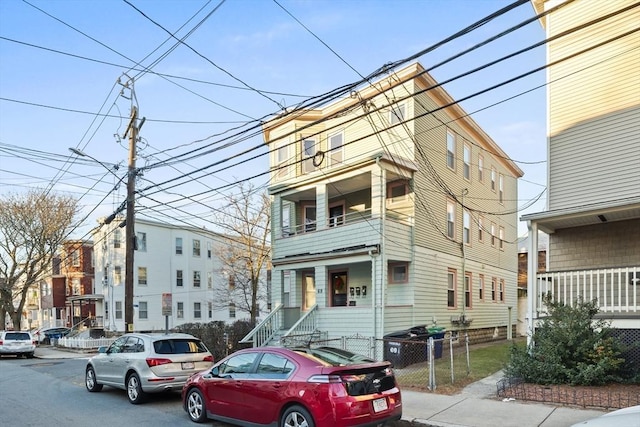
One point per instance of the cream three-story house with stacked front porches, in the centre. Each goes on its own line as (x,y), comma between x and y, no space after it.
(391,208)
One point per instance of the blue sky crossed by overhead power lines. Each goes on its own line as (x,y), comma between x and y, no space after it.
(60,62)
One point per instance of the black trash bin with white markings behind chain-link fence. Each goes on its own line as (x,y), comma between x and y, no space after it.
(401,348)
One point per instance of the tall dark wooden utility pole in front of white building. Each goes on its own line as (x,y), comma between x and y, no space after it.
(130,234)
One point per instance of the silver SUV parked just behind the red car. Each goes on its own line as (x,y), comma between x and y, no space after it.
(147,363)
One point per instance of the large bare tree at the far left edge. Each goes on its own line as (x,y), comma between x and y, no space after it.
(32,226)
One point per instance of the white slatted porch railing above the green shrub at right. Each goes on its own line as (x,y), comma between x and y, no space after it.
(616,290)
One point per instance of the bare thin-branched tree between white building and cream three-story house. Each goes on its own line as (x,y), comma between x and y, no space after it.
(245,257)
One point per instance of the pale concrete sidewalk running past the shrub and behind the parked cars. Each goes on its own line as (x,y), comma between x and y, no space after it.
(476,406)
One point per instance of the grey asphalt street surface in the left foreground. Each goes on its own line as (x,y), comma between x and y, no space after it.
(39,392)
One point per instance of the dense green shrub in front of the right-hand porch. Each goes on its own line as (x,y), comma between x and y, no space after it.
(569,347)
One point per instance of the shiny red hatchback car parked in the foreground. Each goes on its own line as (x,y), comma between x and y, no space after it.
(322,387)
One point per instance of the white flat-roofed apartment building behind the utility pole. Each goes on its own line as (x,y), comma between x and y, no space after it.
(176,270)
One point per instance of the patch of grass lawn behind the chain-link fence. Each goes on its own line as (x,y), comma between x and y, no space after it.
(484,360)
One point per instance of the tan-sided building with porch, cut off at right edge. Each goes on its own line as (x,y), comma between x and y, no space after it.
(593,144)
